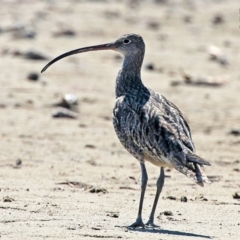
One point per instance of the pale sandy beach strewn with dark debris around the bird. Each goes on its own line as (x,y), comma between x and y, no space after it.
(69,177)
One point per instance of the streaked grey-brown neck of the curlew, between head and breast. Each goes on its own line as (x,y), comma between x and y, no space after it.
(129,77)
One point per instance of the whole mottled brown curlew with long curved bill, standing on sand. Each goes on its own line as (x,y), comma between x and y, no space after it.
(149,126)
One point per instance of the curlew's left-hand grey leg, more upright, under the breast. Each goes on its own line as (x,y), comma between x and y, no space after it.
(139,222)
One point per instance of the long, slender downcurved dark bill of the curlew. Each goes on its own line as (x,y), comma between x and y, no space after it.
(107,46)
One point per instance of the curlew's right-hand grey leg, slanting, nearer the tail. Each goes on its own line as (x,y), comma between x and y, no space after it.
(160,183)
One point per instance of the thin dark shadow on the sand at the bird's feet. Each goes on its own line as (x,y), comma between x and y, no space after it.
(164,231)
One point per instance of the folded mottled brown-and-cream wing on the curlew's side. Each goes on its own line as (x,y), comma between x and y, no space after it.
(164,131)
